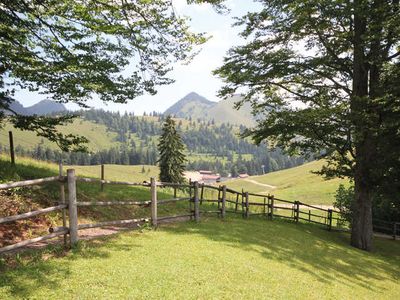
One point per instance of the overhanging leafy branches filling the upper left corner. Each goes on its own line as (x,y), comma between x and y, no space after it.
(72,50)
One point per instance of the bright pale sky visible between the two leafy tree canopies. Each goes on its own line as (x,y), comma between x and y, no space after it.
(197,75)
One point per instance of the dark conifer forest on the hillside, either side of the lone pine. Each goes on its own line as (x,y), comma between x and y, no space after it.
(220,142)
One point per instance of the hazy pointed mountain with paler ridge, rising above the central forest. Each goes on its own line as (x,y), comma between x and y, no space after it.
(196,106)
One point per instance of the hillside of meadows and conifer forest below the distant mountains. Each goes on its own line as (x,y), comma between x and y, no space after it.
(129,139)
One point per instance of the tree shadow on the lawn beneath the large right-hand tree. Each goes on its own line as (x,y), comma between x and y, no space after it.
(325,255)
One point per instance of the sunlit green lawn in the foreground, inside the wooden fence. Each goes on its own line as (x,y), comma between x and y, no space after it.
(234,258)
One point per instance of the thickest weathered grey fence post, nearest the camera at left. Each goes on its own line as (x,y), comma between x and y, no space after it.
(72,208)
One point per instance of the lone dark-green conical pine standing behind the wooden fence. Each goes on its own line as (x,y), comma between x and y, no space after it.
(172,159)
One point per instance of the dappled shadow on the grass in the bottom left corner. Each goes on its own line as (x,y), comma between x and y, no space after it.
(49,267)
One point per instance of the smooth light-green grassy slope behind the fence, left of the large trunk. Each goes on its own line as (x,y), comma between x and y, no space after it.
(294,184)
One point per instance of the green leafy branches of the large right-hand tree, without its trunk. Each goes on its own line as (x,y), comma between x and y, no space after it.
(278,76)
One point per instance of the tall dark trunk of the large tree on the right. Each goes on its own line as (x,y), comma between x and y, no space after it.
(361,231)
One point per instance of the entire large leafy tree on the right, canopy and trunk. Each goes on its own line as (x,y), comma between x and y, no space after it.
(324,76)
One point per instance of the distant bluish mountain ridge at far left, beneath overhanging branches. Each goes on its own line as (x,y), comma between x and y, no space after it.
(41,108)
